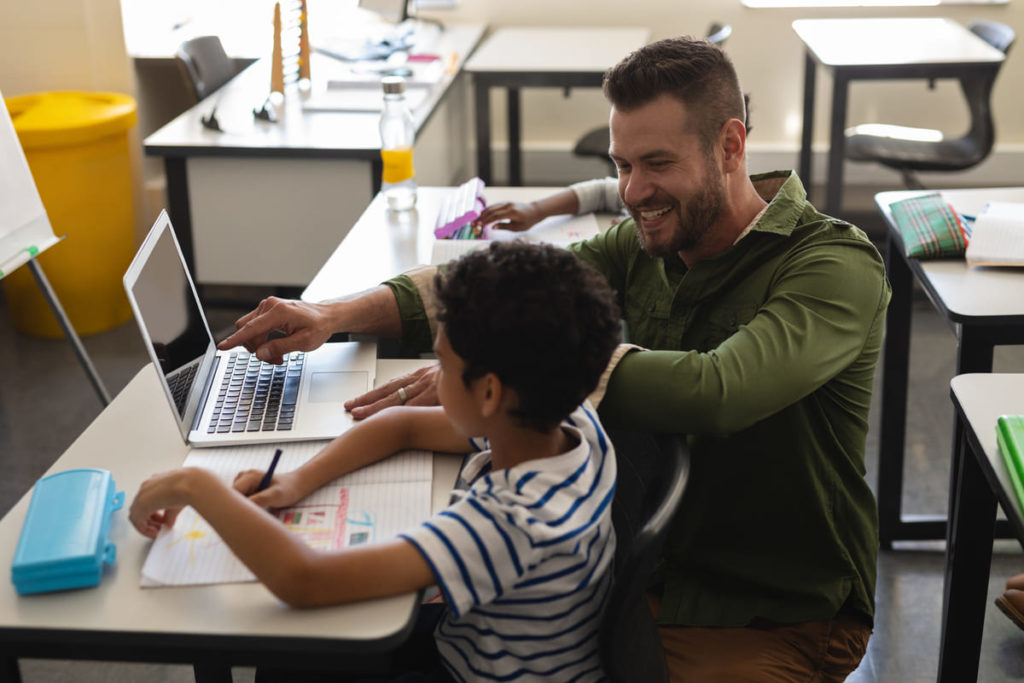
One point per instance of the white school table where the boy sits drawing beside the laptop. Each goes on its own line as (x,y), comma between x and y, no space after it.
(211,627)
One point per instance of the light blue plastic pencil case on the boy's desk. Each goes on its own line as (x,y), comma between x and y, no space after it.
(65,539)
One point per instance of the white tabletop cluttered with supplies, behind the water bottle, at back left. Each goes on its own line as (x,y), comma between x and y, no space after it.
(298,131)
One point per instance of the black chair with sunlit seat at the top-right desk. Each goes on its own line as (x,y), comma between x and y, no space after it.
(913,150)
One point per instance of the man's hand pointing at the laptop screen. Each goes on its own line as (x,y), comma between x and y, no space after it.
(306,327)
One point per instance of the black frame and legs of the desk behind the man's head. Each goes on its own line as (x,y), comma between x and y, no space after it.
(513,81)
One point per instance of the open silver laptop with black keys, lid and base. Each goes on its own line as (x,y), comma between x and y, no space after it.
(231,398)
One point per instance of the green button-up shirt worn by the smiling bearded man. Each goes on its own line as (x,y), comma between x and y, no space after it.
(765,355)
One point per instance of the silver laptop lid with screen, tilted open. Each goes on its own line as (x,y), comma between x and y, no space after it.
(175,329)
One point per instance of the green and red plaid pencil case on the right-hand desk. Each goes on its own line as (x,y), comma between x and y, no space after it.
(929,227)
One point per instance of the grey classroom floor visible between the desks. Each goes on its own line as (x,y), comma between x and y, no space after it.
(42,378)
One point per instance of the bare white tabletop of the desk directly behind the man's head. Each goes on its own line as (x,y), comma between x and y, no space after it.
(547,50)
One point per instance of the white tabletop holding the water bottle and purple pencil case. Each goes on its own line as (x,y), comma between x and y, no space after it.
(382,244)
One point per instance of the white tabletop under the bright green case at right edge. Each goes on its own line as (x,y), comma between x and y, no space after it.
(984,398)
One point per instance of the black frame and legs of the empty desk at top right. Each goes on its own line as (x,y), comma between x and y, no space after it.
(842,76)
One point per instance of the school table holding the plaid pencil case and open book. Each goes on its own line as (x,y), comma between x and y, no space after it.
(985,309)
